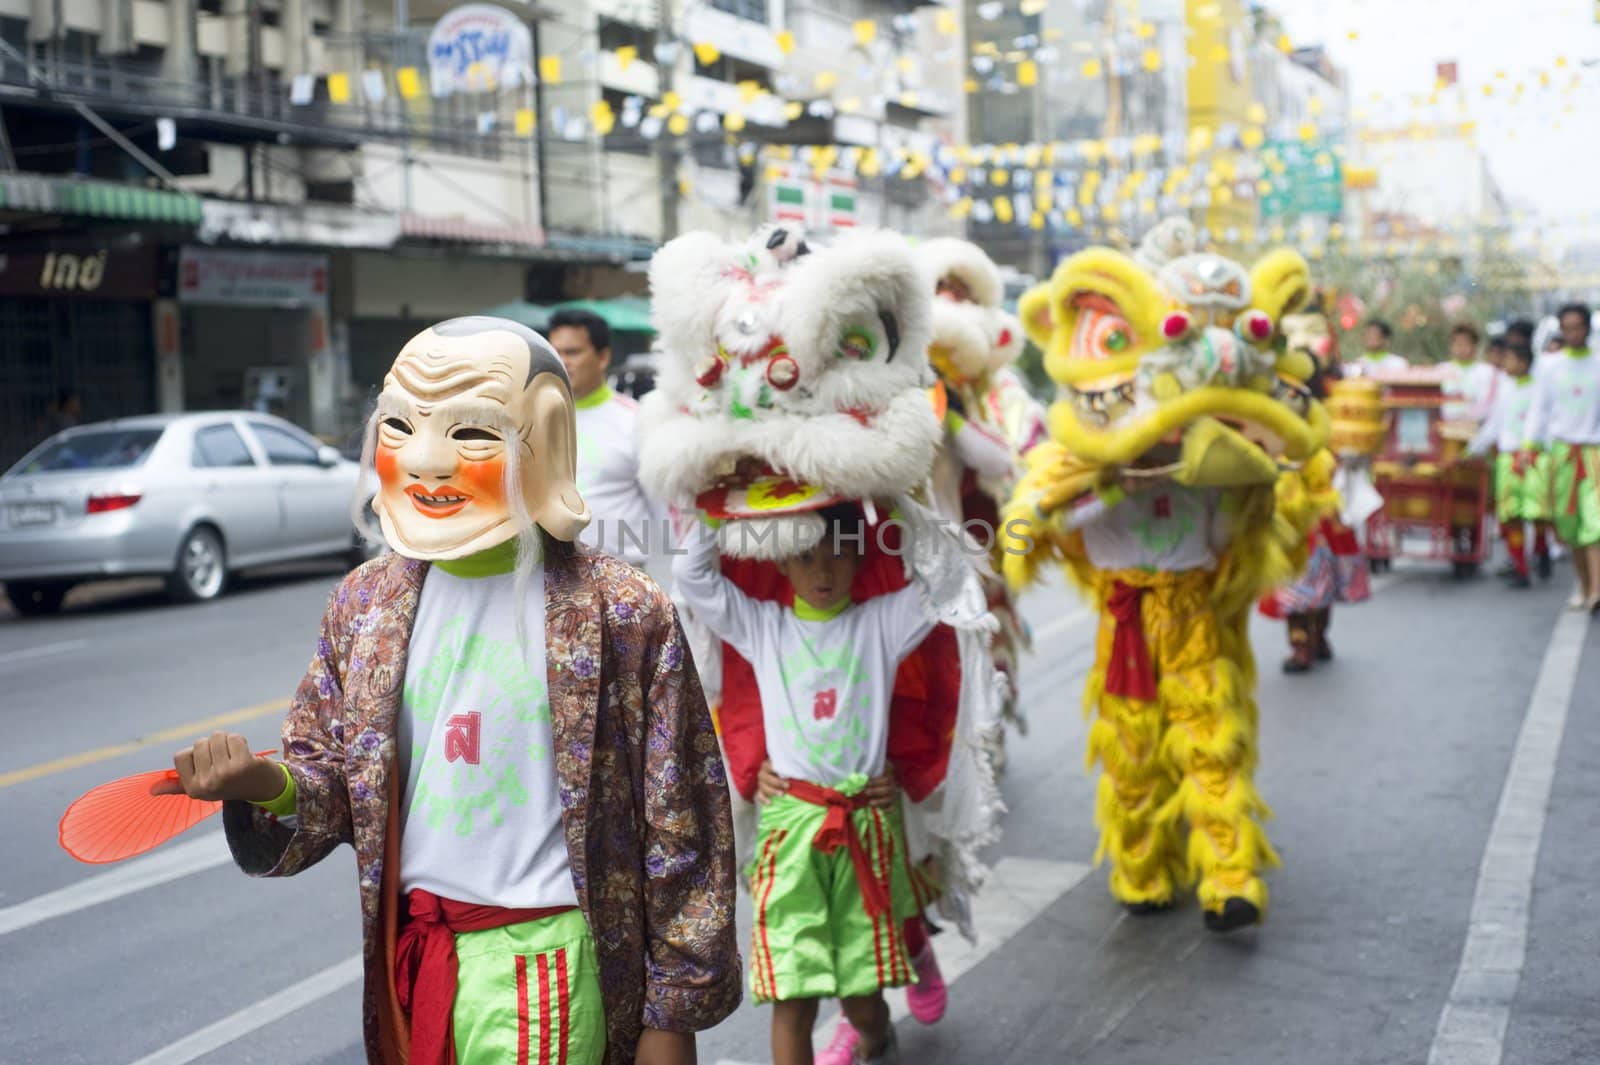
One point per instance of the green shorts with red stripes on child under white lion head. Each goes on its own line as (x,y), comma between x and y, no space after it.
(814,938)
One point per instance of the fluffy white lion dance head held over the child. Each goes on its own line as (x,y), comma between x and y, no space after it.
(793,378)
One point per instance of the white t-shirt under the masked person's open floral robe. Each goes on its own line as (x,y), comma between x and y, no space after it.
(482,818)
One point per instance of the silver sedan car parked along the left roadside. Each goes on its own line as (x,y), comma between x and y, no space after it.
(185,497)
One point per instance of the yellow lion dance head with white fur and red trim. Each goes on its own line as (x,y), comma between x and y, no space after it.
(1170,365)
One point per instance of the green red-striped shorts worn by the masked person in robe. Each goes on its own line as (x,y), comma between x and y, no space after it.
(530,995)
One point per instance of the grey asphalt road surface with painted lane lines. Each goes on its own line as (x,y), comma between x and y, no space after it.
(1386,773)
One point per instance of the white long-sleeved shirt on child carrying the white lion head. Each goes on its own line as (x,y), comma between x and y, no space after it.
(825,680)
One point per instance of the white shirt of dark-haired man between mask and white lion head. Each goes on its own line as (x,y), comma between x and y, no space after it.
(626,522)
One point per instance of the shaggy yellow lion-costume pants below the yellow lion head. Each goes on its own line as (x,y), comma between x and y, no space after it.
(1186,756)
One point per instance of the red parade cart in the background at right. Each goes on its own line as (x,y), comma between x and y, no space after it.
(1436,498)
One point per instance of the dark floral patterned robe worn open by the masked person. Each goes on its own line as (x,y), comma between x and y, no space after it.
(642,783)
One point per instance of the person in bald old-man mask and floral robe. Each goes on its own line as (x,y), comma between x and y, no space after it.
(482,709)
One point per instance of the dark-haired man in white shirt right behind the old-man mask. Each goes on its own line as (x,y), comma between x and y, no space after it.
(626,522)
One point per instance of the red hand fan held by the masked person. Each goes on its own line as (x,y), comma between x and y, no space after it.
(130,816)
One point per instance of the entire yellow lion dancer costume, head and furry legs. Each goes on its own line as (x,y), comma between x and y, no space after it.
(1159,493)
